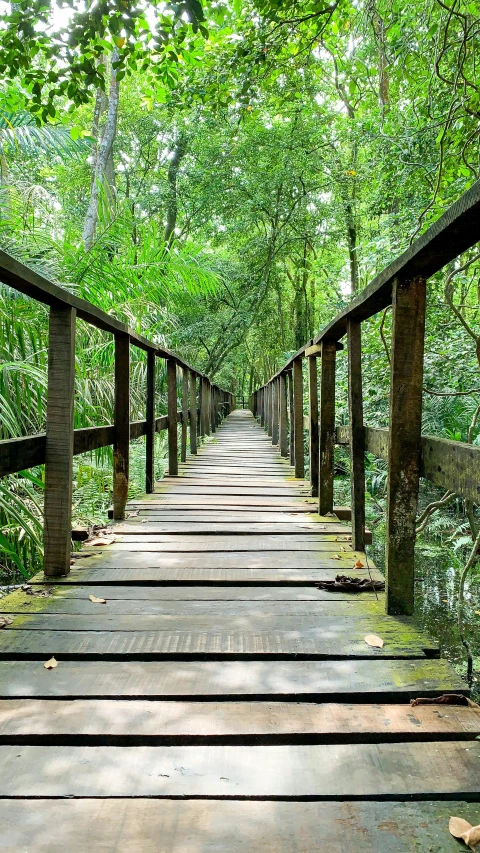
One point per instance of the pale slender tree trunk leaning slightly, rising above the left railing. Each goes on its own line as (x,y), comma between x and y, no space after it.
(103,168)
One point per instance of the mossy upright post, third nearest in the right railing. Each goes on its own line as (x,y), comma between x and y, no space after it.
(327,427)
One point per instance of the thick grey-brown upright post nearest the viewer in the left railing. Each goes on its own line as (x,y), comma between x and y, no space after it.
(59,442)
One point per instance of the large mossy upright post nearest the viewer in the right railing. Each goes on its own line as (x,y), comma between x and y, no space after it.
(406,381)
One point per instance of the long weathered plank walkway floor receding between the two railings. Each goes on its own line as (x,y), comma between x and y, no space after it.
(220,680)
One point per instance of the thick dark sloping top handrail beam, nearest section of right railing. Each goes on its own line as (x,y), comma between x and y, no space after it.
(445,240)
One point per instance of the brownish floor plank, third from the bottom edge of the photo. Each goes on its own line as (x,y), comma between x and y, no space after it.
(194,723)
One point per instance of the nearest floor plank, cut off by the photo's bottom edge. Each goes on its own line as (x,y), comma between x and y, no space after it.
(52,826)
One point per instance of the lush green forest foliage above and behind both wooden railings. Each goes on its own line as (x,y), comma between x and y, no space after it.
(224,176)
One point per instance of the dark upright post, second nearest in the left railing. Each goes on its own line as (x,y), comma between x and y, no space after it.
(121,447)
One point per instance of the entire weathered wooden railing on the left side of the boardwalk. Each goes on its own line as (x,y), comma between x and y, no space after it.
(203,404)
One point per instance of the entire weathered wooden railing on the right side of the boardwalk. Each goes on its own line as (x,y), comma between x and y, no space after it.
(449,464)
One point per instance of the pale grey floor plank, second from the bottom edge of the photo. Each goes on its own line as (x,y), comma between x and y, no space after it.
(361,771)
